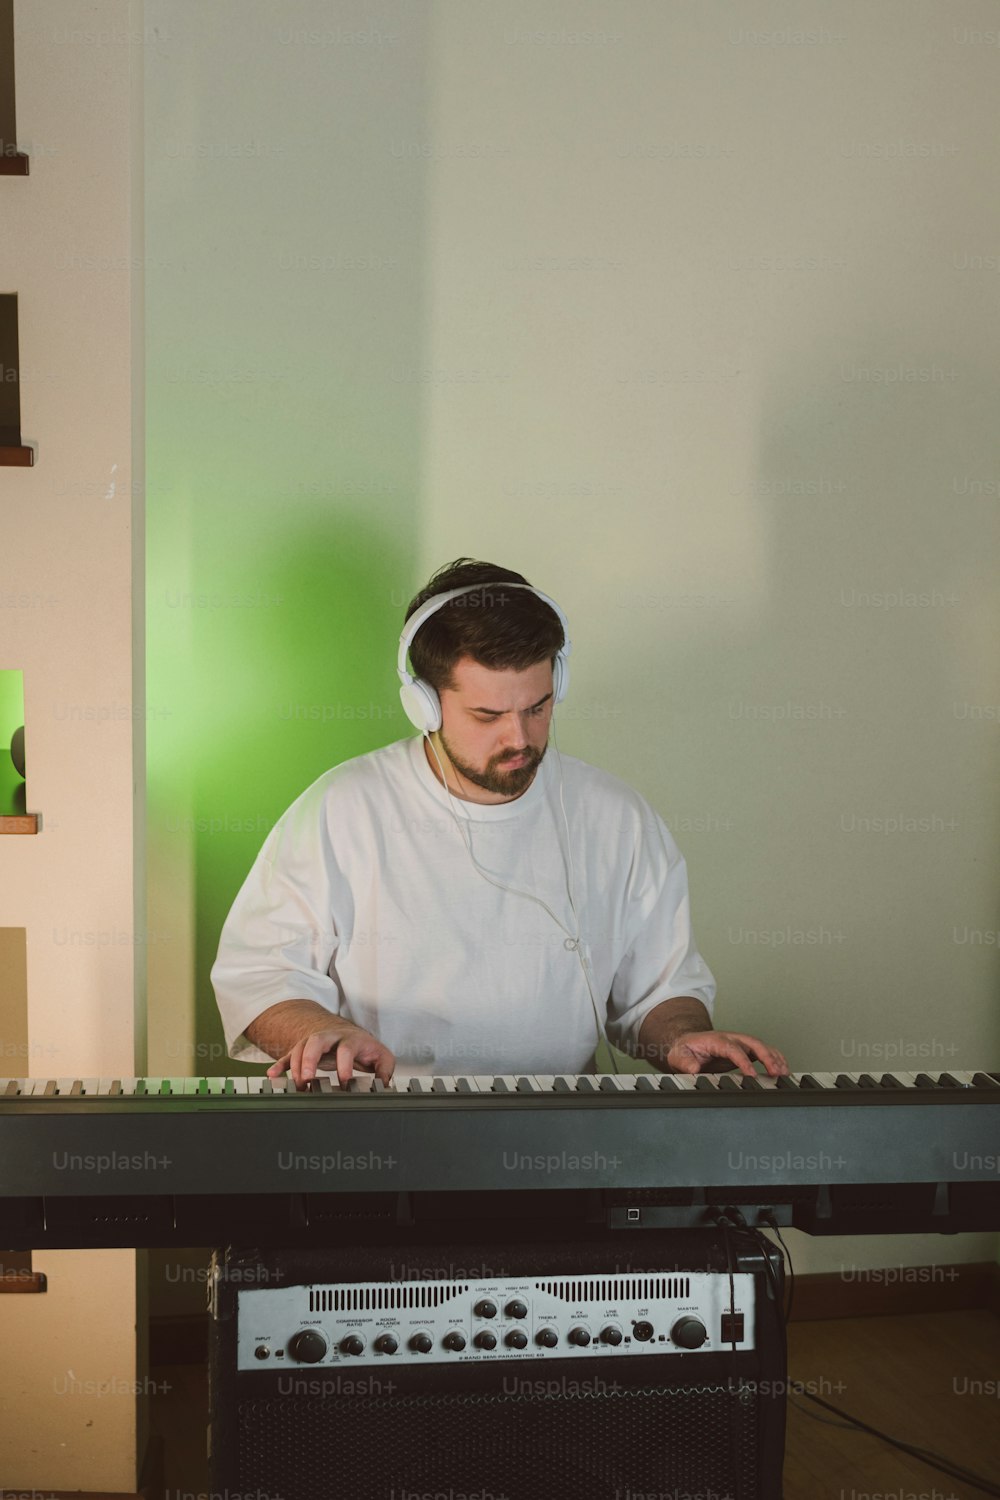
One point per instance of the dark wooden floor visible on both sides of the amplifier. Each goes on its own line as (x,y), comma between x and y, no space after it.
(932,1379)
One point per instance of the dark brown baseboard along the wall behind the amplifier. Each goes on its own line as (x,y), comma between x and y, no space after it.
(882,1292)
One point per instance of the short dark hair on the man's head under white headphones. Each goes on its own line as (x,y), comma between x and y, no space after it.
(499,628)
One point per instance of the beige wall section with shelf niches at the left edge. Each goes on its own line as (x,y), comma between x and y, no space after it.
(73,1393)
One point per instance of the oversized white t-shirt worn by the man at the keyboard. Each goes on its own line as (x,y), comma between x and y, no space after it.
(367,901)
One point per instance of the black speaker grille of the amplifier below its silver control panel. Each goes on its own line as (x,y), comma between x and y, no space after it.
(521,1447)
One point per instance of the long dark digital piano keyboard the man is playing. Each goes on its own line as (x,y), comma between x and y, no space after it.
(190,1162)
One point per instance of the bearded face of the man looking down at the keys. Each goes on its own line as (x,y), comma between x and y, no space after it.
(496,725)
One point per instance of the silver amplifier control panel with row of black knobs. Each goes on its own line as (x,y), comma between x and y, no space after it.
(519,1318)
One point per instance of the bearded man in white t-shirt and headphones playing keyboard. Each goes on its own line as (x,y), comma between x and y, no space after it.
(464,904)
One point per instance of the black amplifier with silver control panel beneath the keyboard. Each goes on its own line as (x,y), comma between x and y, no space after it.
(501,1369)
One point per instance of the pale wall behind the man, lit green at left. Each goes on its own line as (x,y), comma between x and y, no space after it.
(689,313)
